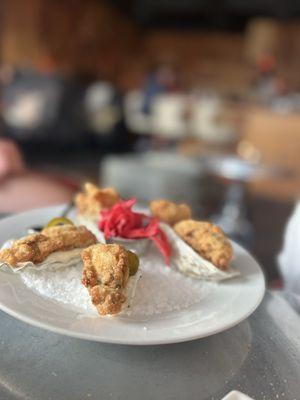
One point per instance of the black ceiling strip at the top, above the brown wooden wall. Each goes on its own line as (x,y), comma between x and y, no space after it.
(221,14)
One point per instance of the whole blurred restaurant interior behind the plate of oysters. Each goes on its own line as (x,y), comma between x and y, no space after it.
(195,101)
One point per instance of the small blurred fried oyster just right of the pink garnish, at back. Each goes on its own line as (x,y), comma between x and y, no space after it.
(170,212)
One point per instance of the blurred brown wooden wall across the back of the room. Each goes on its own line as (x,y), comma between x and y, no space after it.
(91,37)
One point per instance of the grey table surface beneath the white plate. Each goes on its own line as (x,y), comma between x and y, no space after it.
(260,357)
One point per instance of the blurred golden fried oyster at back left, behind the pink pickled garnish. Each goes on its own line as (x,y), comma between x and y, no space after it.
(94,199)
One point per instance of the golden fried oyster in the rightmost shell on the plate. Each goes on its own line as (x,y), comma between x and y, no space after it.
(208,240)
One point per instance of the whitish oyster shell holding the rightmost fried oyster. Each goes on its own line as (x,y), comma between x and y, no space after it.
(191,263)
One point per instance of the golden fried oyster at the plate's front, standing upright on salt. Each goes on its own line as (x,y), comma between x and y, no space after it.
(105,274)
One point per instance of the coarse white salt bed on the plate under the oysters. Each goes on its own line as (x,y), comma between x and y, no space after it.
(161,289)
